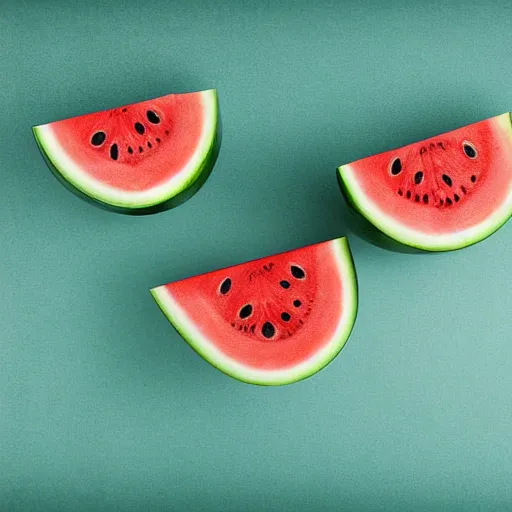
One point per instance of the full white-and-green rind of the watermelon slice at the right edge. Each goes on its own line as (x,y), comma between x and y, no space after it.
(363,205)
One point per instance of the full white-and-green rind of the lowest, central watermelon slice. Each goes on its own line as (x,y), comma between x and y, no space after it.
(177,317)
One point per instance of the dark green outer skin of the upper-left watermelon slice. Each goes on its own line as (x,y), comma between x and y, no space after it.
(190,188)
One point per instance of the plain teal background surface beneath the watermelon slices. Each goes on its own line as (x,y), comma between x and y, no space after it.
(104,407)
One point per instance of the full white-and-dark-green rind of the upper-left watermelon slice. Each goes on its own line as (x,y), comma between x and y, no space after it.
(169,197)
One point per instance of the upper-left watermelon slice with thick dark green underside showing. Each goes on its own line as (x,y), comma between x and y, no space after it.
(140,158)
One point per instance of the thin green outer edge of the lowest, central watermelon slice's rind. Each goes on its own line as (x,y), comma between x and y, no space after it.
(350,279)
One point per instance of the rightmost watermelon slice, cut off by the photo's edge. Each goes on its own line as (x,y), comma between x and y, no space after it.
(443,193)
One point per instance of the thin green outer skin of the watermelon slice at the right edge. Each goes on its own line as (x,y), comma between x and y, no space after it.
(355,204)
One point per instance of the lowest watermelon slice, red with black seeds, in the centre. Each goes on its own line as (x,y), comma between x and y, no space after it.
(270,321)
